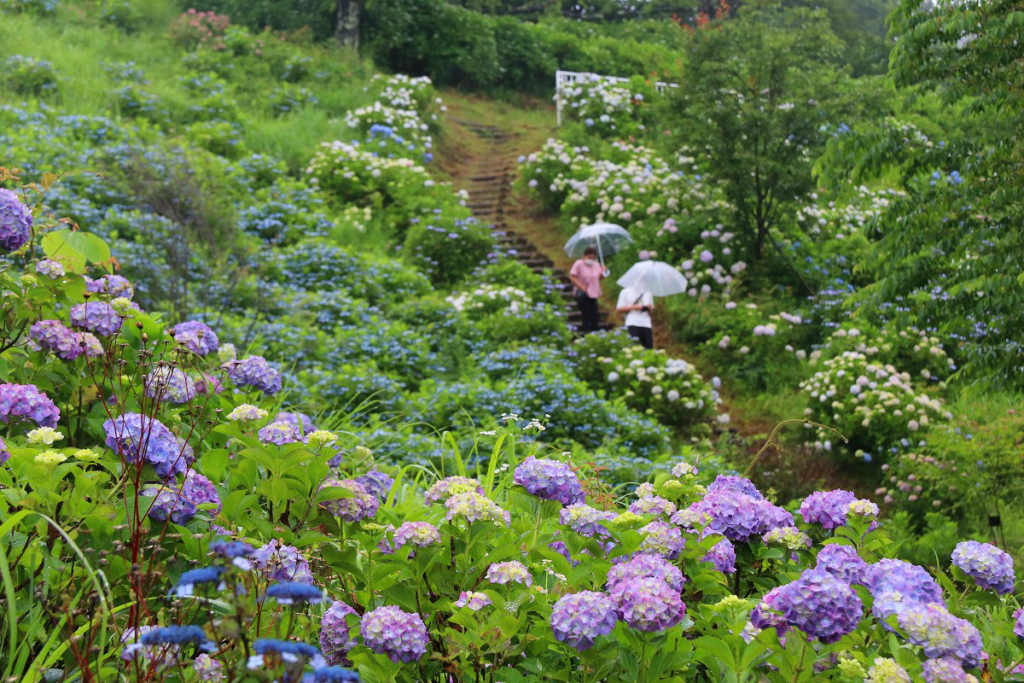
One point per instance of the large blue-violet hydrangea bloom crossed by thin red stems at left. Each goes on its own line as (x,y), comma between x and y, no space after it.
(144,440)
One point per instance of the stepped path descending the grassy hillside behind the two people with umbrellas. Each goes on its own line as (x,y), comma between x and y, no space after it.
(490,188)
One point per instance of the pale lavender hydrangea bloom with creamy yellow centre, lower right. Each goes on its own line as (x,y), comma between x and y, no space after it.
(942,634)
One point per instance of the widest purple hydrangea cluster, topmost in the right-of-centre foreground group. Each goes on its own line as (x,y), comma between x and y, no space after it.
(736,516)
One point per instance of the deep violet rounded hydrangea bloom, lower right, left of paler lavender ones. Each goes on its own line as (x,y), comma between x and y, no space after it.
(819,605)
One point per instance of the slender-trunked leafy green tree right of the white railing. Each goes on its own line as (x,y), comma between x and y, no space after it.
(753,103)
